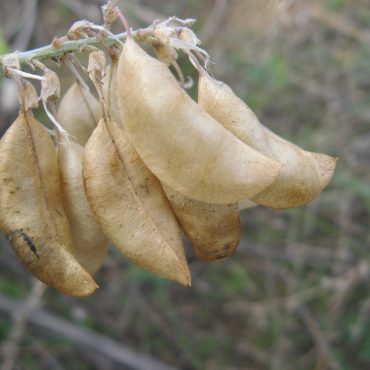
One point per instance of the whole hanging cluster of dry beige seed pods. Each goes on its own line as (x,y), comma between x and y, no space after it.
(139,168)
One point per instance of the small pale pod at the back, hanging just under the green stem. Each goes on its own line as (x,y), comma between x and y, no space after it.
(79,113)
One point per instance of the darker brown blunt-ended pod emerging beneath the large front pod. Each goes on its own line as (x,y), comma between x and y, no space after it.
(213,229)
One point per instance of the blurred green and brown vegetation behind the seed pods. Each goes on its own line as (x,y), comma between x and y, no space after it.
(296,294)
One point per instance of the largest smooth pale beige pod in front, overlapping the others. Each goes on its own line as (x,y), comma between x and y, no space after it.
(179,142)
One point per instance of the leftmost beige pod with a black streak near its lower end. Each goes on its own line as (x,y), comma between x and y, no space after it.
(32,213)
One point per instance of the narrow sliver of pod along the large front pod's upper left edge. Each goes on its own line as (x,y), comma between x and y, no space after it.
(110,91)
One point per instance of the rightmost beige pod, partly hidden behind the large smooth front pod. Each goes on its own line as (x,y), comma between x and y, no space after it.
(303,175)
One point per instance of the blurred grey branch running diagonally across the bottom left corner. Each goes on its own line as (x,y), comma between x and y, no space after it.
(87,339)
